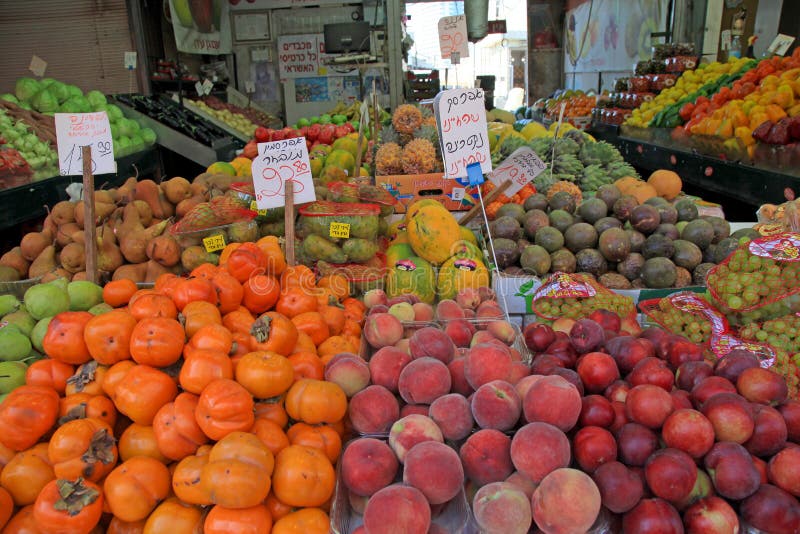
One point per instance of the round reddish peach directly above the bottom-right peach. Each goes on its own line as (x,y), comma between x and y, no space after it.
(537,449)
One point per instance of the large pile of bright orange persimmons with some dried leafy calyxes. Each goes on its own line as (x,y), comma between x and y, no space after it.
(197,406)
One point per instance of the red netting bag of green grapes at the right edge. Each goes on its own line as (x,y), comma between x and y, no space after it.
(760,280)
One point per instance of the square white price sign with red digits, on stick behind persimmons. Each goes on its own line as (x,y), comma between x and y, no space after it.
(279,163)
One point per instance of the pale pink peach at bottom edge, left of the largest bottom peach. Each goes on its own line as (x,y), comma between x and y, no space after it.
(502,508)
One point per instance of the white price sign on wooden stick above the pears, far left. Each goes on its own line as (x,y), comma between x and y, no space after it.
(76,130)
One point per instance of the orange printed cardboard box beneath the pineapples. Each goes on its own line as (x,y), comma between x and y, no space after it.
(409,188)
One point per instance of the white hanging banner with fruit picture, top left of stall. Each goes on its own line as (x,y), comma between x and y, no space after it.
(201,27)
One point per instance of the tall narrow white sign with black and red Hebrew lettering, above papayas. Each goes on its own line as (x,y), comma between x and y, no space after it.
(461,119)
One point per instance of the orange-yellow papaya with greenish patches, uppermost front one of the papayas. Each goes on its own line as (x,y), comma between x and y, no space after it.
(432,232)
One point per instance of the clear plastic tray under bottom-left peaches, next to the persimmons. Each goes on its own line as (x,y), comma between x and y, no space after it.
(454,516)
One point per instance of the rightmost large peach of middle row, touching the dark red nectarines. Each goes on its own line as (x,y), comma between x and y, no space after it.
(553,400)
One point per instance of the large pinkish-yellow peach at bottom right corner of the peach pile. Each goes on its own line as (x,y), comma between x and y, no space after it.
(567,500)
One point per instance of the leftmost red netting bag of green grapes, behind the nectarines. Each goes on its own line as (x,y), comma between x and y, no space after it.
(576,296)
